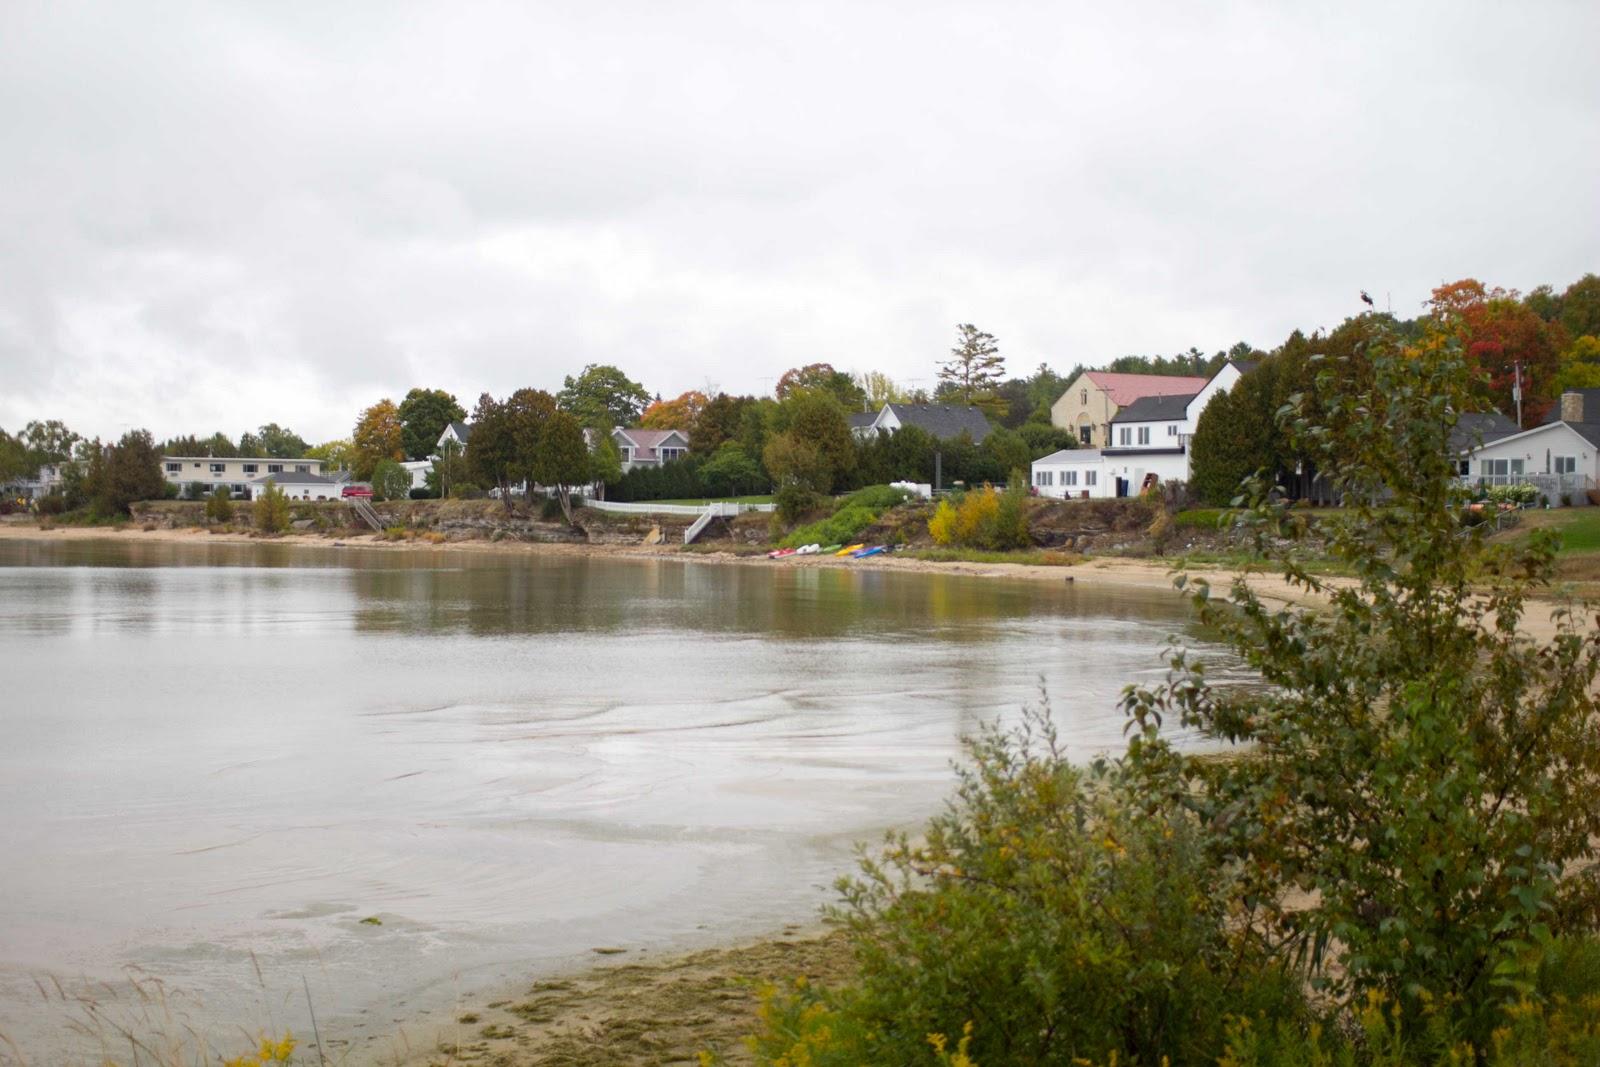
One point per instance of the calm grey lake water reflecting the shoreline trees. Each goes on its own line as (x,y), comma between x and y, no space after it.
(218,761)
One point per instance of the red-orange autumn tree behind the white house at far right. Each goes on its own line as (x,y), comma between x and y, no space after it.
(1502,338)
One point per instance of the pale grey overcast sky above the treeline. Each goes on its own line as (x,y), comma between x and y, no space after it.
(220,215)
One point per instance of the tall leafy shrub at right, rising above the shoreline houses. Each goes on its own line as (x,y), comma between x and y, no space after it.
(1420,770)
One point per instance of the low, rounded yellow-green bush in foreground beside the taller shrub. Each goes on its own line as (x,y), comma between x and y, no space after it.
(1049,909)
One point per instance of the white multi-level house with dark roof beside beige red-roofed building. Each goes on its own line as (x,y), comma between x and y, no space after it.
(1148,441)
